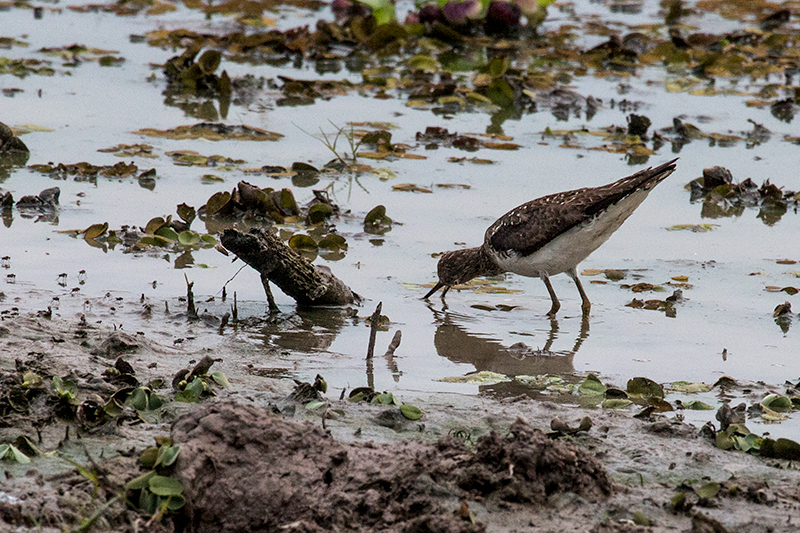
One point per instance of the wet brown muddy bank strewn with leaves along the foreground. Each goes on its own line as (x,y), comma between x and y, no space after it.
(250,456)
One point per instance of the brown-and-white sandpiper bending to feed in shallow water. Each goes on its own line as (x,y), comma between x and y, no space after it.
(551,234)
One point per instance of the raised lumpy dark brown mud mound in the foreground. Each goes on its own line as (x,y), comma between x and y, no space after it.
(245,469)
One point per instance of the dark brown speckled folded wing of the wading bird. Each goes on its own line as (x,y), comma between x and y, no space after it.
(528,227)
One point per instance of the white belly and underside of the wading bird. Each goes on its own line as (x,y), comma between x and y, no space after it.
(573,246)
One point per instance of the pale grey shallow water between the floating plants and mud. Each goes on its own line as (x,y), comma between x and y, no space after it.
(727,309)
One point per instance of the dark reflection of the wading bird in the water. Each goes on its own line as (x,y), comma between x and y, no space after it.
(454,342)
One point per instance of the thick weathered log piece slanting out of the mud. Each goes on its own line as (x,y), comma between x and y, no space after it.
(293,274)
